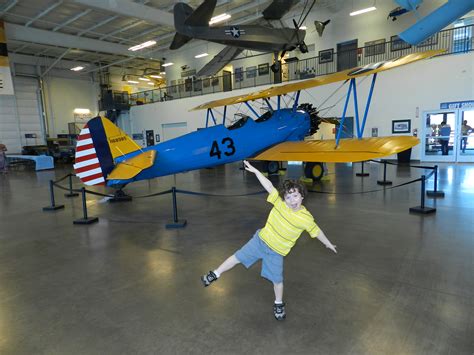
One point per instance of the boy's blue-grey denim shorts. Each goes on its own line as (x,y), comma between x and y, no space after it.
(256,249)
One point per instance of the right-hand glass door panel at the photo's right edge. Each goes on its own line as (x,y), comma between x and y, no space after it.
(465,135)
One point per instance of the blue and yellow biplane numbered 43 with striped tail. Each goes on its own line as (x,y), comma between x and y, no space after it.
(106,155)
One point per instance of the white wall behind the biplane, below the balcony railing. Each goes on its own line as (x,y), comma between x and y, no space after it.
(399,94)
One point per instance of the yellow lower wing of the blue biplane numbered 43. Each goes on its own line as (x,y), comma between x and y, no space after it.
(349,150)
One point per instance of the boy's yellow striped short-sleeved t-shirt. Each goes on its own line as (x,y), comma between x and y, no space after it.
(284,226)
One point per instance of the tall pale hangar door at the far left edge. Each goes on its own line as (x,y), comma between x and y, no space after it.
(20,118)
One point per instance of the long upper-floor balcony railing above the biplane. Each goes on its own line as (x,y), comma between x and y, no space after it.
(456,40)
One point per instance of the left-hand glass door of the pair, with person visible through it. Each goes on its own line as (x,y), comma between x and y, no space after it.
(438,136)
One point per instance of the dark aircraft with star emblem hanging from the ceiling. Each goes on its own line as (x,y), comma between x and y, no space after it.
(191,24)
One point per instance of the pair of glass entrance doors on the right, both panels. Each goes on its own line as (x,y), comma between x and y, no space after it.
(448,135)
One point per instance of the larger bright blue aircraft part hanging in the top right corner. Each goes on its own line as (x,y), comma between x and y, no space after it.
(436,21)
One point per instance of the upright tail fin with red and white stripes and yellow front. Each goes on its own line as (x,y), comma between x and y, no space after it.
(98,144)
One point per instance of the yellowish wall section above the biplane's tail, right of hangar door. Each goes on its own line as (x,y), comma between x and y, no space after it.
(63,95)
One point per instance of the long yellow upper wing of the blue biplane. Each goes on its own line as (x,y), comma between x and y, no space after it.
(322,80)
